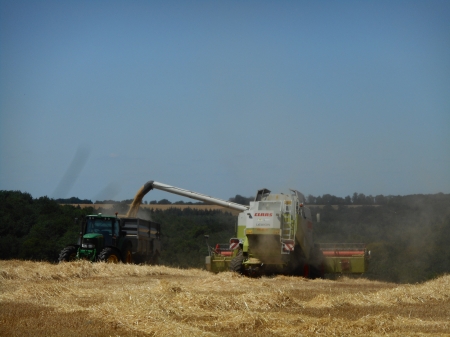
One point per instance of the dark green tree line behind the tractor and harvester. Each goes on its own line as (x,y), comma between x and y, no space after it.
(408,236)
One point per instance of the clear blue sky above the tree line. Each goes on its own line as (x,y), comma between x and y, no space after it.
(224,97)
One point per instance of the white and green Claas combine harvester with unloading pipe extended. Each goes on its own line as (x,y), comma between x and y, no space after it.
(274,236)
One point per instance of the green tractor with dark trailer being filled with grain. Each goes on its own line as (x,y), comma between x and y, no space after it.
(111,239)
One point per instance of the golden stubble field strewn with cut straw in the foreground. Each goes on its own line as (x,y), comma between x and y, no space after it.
(81,299)
